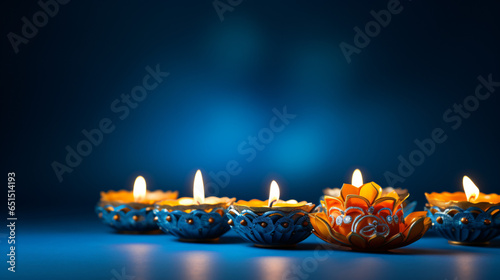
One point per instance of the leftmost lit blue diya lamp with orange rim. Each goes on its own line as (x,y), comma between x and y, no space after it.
(128,211)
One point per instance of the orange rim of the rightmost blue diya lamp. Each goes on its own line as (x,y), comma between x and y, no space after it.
(445,200)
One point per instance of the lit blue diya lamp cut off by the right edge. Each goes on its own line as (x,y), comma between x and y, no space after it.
(466,218)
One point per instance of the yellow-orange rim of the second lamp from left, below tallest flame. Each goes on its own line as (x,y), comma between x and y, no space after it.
(209,203)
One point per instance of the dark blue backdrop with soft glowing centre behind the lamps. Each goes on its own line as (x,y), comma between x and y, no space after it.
(227,74)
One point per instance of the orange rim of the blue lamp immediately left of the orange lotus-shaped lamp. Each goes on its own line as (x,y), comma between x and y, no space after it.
(257,206)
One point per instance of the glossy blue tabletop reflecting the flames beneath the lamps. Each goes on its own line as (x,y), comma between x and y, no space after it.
(90,250)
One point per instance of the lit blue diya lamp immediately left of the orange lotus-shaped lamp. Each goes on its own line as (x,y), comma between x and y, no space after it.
(271,223)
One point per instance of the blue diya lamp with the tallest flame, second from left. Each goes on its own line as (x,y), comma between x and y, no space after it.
(196,219)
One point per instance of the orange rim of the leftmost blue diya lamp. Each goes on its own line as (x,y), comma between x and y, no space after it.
(127,197)
